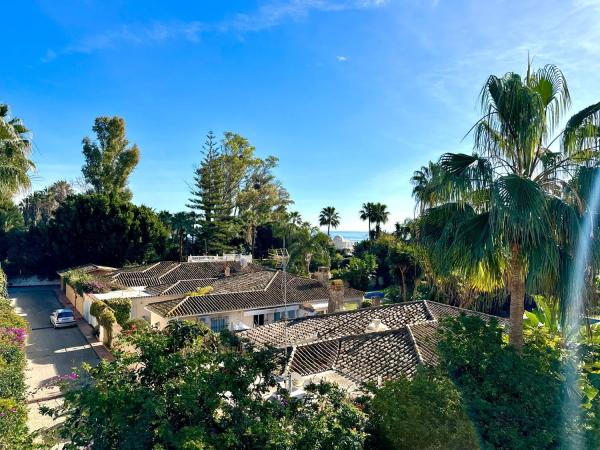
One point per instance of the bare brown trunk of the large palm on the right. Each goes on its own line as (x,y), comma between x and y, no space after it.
(516,286)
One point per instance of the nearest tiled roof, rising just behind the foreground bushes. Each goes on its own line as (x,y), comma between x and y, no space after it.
(340,343)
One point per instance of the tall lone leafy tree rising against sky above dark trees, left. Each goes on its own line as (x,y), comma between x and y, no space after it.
(109,161)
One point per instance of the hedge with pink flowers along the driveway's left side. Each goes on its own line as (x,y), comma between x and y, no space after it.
(13,408)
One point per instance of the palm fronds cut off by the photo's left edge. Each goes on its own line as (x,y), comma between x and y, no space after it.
(15,149)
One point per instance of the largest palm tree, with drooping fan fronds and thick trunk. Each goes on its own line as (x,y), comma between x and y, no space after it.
(500,217)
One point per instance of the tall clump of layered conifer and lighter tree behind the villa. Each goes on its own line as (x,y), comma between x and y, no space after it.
(234,192)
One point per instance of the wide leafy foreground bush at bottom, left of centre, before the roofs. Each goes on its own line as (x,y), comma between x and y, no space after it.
(185,387)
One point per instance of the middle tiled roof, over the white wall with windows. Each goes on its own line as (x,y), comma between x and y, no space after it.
(248,291)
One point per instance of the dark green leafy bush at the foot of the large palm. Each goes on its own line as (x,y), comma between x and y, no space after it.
(514,399)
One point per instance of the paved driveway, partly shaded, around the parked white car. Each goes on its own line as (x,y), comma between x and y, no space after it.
(49,352)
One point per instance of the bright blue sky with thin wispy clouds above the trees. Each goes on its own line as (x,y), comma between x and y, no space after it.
(351,95)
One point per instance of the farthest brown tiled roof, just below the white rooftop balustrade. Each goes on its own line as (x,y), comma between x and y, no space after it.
(171,272)
